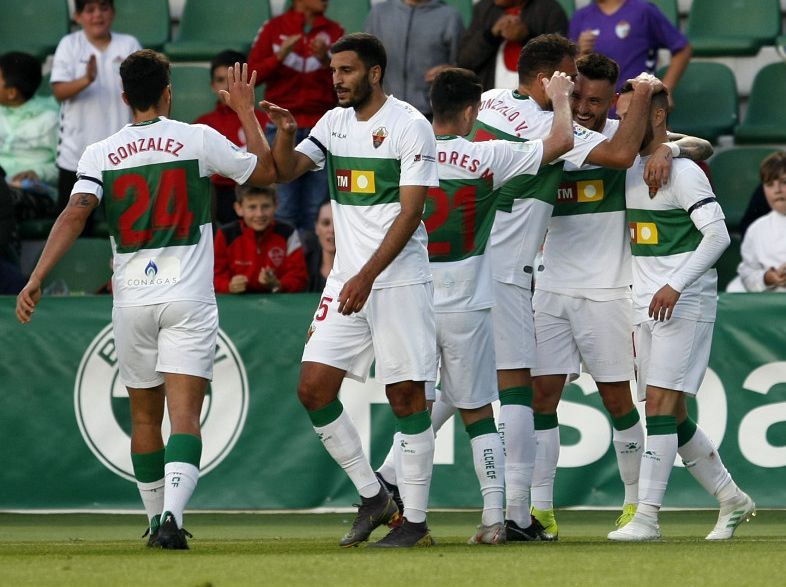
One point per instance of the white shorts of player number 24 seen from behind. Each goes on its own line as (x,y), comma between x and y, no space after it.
(173,337)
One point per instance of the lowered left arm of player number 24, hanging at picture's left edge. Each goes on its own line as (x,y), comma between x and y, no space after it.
(66,230)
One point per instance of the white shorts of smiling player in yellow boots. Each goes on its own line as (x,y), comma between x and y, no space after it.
(570,330)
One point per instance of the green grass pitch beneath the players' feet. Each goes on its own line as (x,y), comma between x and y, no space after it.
(300,549)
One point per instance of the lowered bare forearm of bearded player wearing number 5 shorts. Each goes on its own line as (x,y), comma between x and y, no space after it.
(357,289)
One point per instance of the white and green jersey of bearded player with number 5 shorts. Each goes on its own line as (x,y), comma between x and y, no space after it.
(366,162)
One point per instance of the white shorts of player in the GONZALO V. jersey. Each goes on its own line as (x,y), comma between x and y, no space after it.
(514,327)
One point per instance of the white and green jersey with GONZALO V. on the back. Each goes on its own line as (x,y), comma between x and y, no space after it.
(525,204)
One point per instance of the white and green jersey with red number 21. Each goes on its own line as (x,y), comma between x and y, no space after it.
(460,213)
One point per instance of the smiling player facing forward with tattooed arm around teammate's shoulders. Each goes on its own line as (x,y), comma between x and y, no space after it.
(582,298)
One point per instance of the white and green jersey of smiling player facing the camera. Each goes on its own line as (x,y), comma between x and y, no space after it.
(587,244)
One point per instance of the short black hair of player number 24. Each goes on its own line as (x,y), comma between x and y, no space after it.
(145,75)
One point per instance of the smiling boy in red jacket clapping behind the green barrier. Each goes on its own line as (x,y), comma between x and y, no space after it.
(256,253)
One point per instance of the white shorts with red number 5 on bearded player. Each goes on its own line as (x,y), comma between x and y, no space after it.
(396,327)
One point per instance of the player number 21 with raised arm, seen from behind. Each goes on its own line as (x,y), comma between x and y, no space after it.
(459,215)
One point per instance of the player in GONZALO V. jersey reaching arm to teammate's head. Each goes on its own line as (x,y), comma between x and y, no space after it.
(524,208)
